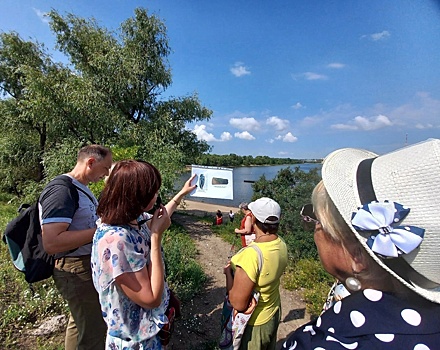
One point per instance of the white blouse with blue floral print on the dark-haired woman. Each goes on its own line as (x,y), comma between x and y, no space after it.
(117,250)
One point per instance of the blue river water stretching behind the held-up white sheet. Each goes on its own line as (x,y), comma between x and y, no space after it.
(242,187)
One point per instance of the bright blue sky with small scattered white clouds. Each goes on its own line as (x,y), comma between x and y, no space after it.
(287,78)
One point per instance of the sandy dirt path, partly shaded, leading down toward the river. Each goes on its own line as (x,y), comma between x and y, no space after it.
(200,324)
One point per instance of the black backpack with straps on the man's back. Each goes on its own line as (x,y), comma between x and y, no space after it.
(24,240)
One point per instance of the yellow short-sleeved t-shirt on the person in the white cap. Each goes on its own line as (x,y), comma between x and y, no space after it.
(268,283)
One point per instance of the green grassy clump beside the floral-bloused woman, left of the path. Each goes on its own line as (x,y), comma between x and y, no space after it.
(184,275)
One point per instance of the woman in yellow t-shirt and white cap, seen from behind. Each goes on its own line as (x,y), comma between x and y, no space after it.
(242,276)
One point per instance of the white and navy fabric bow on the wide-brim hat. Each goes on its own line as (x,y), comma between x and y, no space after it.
(387,240)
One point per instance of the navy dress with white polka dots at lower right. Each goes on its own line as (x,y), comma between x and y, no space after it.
(371,320)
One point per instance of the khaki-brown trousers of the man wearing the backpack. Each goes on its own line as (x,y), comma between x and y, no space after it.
(86,329)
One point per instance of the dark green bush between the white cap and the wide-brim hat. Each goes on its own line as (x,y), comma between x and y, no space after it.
(291,188)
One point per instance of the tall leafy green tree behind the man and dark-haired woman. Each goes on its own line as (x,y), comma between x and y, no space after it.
(110,92)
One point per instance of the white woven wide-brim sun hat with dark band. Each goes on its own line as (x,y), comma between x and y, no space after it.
(409,176)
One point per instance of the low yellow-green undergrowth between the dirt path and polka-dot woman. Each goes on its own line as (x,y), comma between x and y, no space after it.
(309,276)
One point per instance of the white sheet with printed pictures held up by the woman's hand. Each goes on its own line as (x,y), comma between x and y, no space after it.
(212,182)
